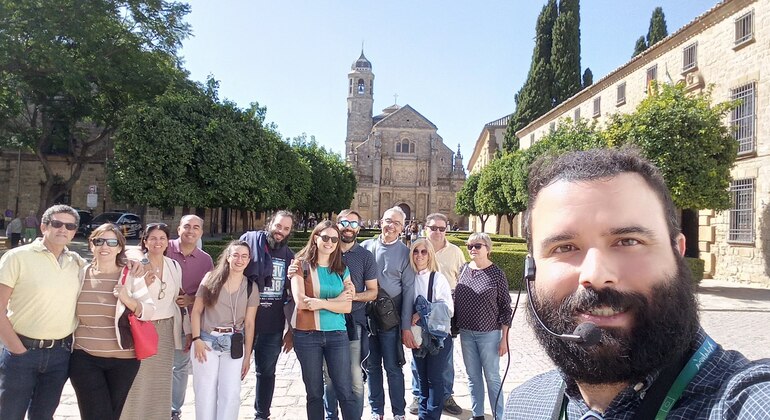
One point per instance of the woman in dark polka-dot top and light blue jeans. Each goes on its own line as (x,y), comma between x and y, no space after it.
(483,314)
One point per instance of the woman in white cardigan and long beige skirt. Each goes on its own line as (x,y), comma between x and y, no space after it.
(150,396)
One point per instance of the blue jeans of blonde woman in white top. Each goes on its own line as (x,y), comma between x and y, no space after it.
(431,371)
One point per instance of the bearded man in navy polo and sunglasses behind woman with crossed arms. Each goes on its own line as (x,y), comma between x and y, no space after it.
(363,273)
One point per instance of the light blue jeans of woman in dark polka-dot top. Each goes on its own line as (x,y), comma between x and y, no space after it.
(480,352)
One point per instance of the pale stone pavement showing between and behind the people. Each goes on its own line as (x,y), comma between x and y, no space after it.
(735,315)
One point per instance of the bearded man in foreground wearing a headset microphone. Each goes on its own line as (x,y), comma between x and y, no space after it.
(603,234)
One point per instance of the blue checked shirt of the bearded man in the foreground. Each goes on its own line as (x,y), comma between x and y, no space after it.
(728,386)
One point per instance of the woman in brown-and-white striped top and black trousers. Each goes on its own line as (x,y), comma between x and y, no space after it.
(102,368)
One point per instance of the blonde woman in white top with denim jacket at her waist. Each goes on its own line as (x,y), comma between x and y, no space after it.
(431,365)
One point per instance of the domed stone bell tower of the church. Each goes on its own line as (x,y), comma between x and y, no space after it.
(360,102)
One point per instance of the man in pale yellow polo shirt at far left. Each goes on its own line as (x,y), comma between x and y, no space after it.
(39,286)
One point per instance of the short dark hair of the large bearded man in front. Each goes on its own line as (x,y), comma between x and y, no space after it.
(596,164)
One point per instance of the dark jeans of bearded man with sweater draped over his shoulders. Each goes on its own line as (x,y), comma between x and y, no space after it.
(267,348)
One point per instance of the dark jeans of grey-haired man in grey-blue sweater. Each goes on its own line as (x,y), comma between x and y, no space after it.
(383,350)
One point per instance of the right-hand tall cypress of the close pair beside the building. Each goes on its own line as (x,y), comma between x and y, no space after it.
(565,54)
